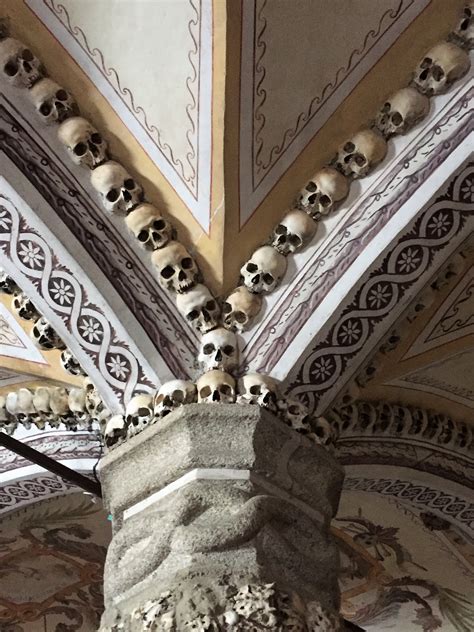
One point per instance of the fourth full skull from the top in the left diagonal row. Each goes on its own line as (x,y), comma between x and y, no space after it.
(118,190)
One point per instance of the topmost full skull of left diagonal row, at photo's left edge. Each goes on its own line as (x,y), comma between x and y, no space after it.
(19,66)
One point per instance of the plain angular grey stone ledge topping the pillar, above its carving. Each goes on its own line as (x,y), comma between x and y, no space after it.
(220,436)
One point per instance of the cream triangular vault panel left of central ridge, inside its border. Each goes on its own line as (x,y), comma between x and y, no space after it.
(152,49)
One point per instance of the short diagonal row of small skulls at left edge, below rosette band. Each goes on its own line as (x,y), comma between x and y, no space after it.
(42,333)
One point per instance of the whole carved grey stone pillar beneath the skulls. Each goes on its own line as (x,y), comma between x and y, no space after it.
(221,520)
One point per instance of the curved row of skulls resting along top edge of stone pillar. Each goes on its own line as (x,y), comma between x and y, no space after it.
(216,387)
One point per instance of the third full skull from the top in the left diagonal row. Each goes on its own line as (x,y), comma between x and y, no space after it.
(84,143)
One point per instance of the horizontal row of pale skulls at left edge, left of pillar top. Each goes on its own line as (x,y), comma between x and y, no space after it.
(53,406)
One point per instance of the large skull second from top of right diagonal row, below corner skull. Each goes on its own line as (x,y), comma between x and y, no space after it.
(442,65)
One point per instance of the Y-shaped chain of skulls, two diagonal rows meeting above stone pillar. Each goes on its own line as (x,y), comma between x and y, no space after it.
(176,269)
